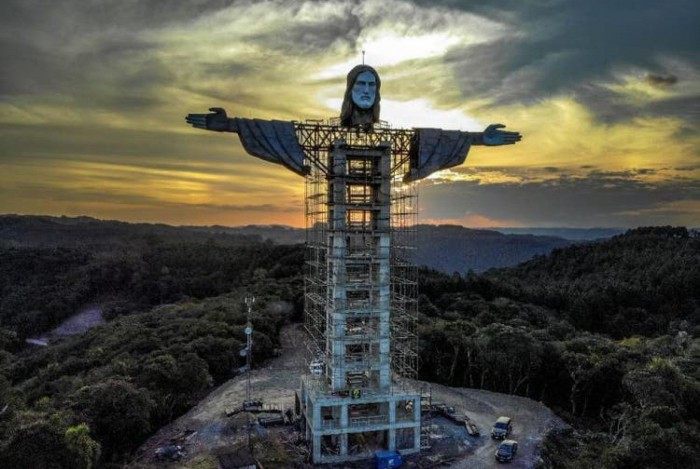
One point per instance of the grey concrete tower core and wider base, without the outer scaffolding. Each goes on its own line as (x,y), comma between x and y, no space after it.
(351,404)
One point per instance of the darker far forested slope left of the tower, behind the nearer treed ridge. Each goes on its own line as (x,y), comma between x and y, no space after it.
(42,286)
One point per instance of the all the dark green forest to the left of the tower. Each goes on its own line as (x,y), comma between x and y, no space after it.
(97,396)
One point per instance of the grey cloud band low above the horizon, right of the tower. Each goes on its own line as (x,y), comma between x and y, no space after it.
(600,199)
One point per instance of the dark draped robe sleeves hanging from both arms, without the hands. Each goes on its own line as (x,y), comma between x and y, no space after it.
(276,141)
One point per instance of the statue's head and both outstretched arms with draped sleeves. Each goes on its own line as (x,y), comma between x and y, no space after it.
(429,149)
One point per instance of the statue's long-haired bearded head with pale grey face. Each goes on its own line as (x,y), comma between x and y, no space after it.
(361,100)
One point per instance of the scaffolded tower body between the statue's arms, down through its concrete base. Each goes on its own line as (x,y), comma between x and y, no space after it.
(360,292)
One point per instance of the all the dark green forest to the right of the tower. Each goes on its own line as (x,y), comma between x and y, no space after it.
(605,334)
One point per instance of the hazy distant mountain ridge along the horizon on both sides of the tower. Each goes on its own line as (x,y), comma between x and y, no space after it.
(448,248)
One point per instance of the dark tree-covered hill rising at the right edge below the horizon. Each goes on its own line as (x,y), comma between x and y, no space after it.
(635,283)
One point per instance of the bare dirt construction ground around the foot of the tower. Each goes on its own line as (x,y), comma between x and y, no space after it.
(209,438)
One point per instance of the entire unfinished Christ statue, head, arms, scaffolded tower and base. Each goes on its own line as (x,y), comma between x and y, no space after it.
(360,290)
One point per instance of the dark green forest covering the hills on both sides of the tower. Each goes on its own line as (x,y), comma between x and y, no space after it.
(606,334)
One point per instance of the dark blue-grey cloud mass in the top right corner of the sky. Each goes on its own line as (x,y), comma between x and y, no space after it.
(569,46)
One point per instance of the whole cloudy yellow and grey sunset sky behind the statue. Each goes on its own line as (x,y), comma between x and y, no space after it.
(93,96)
